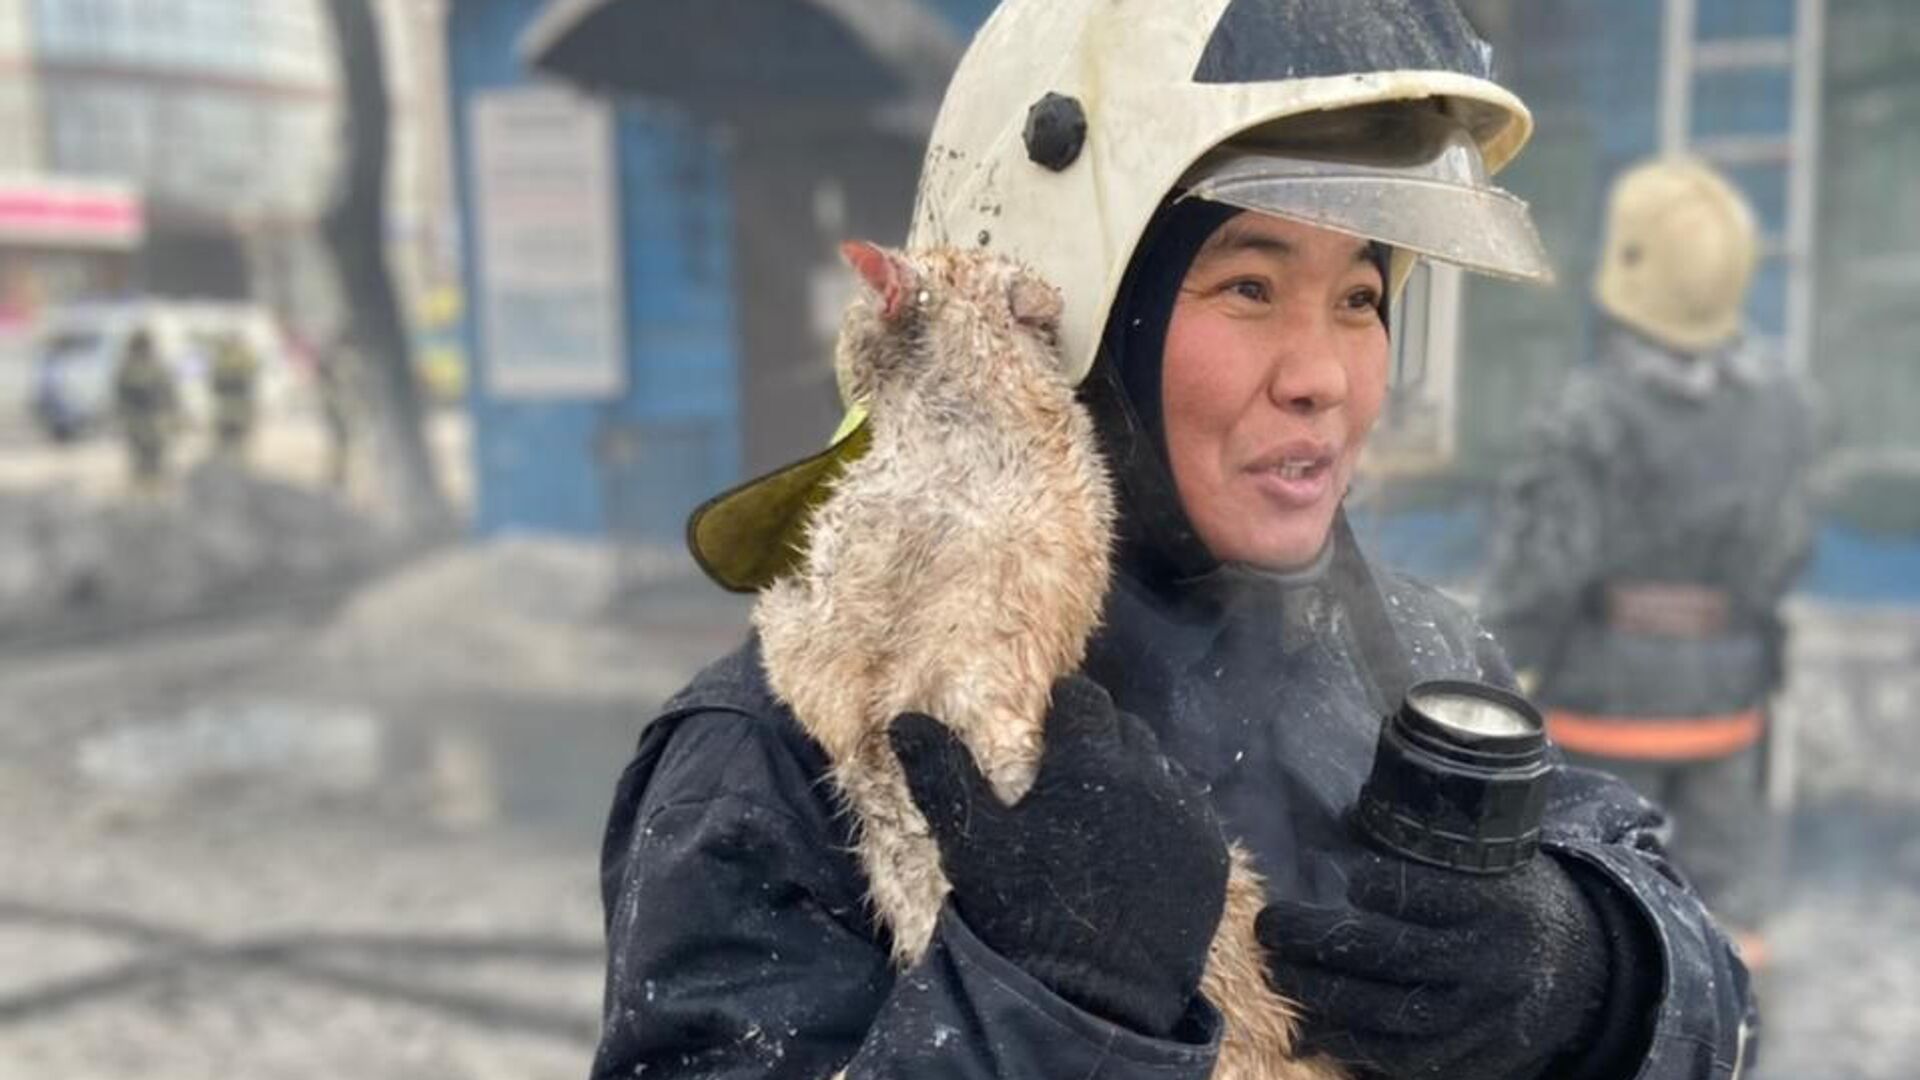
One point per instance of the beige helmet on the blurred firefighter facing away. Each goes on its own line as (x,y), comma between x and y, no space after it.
(1679,257)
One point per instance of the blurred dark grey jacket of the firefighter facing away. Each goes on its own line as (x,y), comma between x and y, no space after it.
(1656,470)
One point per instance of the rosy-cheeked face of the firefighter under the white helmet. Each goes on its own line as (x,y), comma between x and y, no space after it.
(1276,370)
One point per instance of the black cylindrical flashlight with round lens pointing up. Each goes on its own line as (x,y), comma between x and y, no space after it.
(1460,779)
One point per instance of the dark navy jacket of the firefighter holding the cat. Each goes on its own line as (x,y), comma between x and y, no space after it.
(740,945)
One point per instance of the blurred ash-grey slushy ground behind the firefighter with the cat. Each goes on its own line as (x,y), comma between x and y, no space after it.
(360,839)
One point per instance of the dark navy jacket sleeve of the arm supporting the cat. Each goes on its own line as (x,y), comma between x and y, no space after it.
(740,943)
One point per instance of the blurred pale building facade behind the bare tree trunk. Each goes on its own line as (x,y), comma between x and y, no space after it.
(224,118)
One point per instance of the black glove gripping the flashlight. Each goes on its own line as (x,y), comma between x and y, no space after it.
(1435,973)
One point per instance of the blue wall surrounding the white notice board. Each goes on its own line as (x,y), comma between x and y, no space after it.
(638,462)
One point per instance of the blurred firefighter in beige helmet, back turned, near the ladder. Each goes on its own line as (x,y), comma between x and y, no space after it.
(1650,531)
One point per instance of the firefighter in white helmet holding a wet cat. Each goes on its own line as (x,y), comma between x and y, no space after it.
(1226,195)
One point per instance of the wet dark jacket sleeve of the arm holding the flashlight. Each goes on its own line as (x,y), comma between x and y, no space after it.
(1700,1023)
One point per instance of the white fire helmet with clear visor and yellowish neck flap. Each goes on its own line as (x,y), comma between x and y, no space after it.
(1070,124)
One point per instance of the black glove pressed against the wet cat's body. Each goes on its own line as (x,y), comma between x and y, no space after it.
(1105,881)
